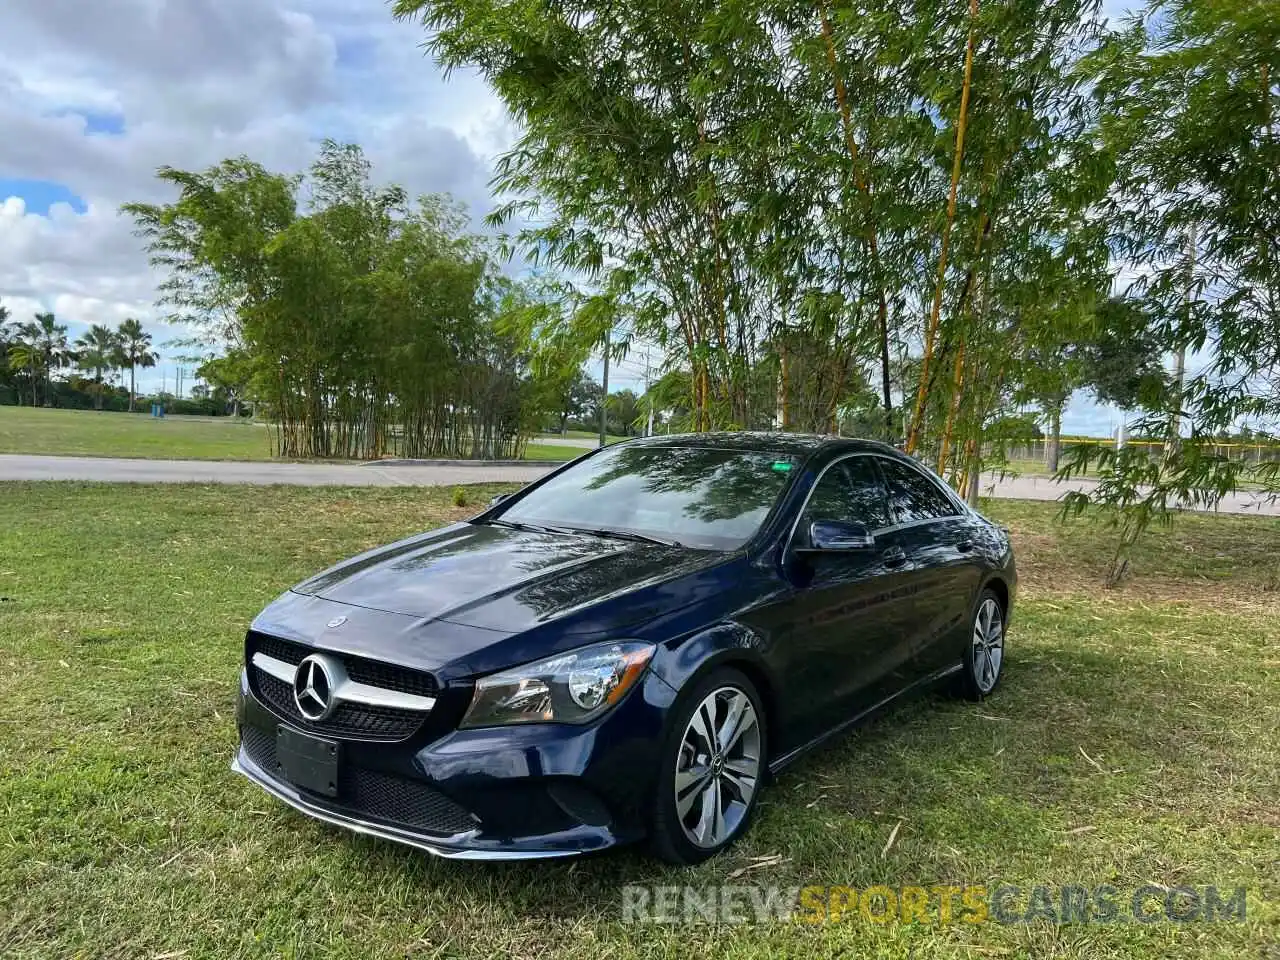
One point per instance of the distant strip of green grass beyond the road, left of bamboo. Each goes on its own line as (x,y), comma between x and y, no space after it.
(102,435)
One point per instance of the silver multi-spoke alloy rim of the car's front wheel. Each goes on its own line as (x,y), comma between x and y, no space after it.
(719,767)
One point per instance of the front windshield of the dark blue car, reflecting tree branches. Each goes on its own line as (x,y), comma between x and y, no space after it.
(696,496)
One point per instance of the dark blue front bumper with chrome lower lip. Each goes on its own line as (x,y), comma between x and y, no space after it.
(492,794)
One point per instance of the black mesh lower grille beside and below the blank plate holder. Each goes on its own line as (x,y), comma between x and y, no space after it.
(381,797)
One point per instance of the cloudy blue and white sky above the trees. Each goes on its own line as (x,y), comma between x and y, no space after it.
(95,97)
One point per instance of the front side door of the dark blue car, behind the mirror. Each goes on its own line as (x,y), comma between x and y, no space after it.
(851,633)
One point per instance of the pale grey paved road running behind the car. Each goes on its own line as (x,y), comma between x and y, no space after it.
(208,472)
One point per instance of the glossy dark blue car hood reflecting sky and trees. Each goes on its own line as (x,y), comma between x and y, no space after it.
(508,580)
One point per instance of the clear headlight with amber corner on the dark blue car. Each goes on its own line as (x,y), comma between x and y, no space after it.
(572,688)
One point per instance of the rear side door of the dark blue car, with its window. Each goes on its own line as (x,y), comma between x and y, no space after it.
(934,534)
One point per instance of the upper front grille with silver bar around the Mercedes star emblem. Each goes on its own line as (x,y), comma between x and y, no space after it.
(372,701)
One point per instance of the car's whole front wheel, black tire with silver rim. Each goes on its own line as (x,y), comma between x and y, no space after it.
(712,771)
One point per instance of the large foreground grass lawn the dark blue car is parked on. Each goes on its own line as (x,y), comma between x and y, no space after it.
(1133,742)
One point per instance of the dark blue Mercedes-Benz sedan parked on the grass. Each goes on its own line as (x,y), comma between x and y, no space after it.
(627,650)
